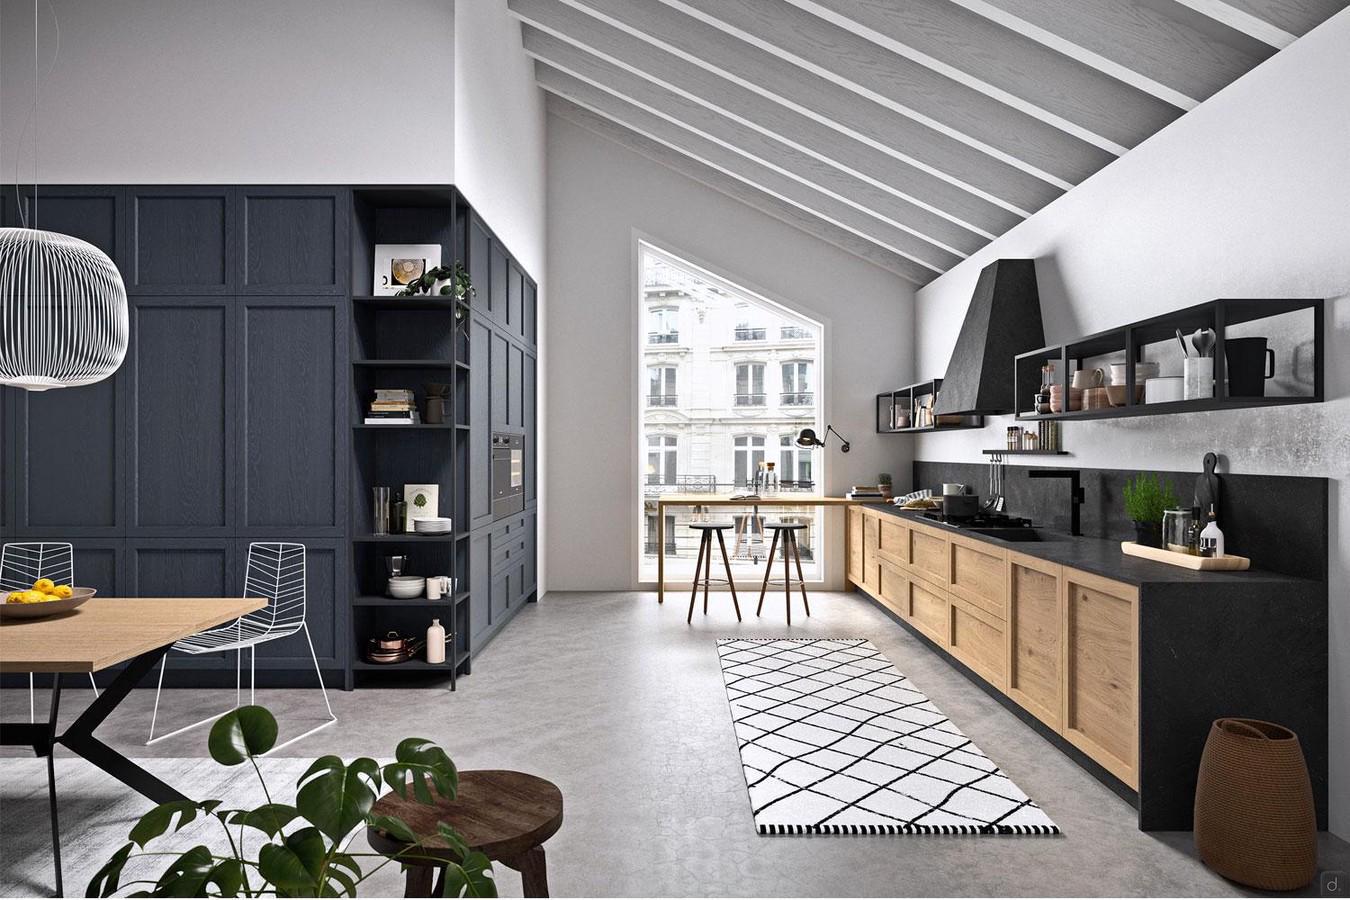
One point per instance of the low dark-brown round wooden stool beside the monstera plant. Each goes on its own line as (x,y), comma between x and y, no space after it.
(504,816)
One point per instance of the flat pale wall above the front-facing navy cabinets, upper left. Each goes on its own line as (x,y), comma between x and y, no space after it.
(248,91)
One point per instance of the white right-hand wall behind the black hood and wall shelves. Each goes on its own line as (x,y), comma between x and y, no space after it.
(1247,196)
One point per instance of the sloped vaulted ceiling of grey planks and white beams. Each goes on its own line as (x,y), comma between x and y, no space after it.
(911,133)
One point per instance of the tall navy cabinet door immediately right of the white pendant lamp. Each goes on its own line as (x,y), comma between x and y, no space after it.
(183,416)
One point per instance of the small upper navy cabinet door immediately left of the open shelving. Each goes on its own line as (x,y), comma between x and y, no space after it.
(294,241)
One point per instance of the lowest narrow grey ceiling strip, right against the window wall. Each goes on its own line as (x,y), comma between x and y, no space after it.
(739,191)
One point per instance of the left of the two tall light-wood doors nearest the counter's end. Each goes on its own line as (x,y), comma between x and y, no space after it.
(1035,635)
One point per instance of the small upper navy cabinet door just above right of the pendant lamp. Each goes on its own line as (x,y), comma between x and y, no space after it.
(182,241)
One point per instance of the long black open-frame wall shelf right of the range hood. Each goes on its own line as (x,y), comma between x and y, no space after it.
(1156,338)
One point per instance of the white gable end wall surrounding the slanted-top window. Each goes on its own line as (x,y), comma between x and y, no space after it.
(601,196)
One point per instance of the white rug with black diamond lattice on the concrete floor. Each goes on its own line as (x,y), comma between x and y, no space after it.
(836,741)
